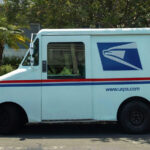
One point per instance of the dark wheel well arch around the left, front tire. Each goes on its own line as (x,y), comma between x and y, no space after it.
(20,109)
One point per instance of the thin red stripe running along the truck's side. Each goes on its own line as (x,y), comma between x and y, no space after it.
(76,80)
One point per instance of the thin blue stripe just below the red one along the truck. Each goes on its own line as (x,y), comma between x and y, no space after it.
(74,84)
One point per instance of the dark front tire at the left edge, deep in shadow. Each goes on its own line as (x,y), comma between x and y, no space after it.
(9,119)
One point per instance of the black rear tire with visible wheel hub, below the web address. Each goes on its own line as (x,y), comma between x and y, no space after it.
(134,117)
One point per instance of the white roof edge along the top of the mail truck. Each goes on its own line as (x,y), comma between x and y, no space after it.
(112,31)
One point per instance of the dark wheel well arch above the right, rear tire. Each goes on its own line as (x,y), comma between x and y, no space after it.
(135,98)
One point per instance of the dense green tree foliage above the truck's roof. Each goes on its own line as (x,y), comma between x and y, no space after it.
(79,13)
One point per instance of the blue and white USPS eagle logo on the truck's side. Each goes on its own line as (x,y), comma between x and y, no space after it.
(119,56)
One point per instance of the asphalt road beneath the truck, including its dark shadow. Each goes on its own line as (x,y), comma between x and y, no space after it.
(74,137)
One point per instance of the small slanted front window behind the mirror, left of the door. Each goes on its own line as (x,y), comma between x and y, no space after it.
(35,55)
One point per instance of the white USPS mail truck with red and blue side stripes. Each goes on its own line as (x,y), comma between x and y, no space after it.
(80,75)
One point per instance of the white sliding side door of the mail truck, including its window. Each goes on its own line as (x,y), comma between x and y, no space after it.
(66,65)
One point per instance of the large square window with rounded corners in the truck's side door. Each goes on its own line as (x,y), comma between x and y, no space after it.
(66,60)
